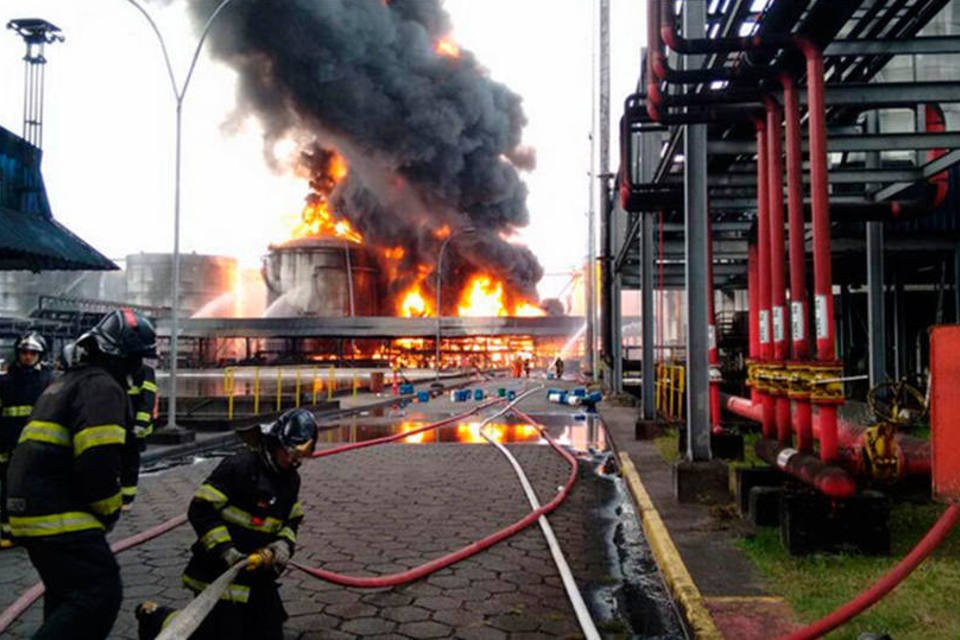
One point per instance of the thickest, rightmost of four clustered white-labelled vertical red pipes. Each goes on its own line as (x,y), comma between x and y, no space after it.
(822,277)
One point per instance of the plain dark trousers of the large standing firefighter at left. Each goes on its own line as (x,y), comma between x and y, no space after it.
(82,582)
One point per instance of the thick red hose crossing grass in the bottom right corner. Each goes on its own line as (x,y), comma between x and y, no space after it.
(938,532)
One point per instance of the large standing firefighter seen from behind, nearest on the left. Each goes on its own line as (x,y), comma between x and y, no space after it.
(64,493)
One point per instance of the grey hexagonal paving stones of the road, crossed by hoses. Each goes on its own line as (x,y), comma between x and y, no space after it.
(385,509)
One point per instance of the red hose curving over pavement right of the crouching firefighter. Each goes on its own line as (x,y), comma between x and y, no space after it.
(372,582)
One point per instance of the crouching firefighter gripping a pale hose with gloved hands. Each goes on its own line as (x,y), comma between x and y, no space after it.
(247,509)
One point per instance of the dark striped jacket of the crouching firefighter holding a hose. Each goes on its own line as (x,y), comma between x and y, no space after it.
(244,505)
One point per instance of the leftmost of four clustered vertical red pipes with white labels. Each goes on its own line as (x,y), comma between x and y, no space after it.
(763,279)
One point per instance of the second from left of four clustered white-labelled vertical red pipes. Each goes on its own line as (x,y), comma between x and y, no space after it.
(778,321)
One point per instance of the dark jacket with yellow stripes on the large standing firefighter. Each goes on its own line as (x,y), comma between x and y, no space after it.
(64,475)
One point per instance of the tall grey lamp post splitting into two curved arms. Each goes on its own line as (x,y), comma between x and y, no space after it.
(178,95)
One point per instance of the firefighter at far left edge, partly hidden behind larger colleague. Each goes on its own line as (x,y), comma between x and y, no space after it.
(26,379)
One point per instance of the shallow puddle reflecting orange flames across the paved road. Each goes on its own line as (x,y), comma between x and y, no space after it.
(584,435)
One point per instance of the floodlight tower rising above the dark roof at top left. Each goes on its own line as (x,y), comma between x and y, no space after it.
(37,33)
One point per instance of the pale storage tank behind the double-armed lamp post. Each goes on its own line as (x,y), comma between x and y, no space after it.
(202,279)
